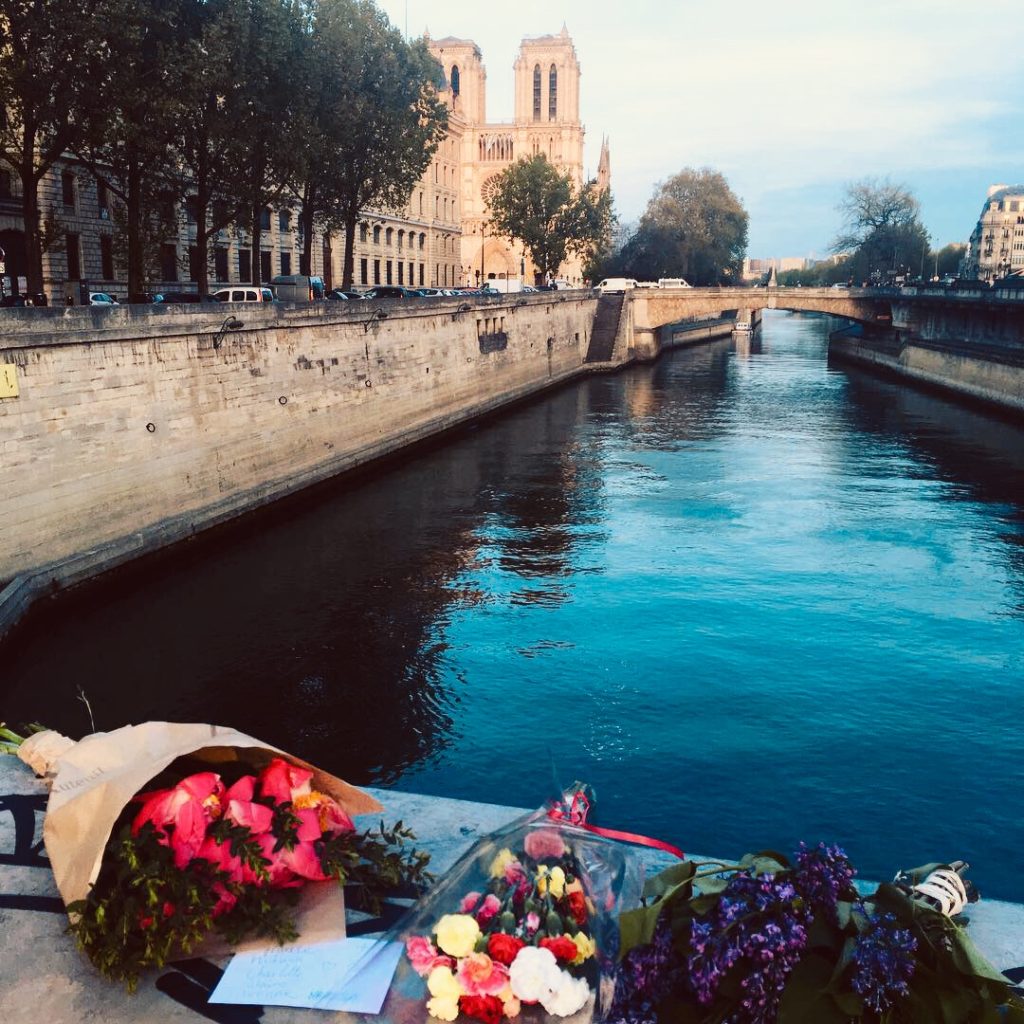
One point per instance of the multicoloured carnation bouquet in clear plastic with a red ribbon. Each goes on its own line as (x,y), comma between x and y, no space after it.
(525,927)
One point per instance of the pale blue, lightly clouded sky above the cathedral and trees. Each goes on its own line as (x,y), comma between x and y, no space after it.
(792,101)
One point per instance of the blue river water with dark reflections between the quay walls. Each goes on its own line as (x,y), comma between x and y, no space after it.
(750,598)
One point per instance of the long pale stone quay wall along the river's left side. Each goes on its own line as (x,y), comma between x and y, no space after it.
(135,428)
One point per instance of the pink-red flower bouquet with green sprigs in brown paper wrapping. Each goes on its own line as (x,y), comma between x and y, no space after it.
(224,844)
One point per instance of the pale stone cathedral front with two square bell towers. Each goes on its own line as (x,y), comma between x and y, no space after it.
(547,121)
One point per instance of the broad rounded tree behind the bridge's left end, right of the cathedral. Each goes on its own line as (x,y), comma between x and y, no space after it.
(695,228)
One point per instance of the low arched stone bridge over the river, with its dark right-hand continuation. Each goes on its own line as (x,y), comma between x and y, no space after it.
(984,316)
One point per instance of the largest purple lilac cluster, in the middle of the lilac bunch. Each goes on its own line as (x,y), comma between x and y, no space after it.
(757,921)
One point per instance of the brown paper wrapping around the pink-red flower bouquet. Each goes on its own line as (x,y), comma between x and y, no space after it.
(98,778)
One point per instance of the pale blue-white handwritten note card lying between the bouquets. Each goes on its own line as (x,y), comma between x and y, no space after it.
(349,974)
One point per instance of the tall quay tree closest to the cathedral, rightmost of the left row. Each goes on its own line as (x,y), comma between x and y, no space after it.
(375,119)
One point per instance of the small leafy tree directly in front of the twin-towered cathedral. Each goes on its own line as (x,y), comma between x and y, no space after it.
(536,204)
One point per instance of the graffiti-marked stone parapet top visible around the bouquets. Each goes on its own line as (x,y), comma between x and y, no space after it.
(46,980)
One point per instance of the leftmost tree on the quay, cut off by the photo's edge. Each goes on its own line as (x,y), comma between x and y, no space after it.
(53,58)
